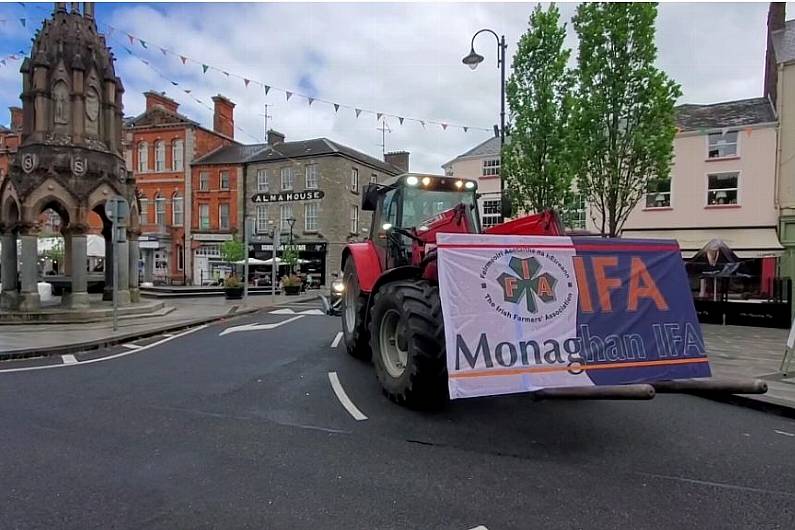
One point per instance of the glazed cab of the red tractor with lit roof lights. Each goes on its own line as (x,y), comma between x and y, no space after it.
(410,209)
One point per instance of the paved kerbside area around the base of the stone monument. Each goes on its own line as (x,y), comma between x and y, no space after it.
(31,339)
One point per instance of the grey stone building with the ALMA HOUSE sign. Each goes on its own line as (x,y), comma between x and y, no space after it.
(317,184)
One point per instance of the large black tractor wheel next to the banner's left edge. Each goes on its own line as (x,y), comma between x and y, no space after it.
(407,339)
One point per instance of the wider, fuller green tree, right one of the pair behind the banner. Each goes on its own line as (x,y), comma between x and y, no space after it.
(624,123)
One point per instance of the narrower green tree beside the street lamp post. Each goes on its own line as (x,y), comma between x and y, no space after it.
(536,160)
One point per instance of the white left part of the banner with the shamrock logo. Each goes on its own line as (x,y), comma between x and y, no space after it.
(509,304)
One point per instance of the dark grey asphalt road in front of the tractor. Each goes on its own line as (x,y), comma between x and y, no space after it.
(245,430)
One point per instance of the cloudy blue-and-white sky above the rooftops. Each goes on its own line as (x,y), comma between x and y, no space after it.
(401,59)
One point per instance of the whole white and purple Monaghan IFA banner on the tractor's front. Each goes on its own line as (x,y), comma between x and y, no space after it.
(523,313)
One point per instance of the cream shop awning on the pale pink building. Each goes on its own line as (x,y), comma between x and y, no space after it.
(746,243)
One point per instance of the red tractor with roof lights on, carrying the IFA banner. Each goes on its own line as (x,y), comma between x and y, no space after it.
(391,309)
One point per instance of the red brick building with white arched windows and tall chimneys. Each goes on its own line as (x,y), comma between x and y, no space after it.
(161,145)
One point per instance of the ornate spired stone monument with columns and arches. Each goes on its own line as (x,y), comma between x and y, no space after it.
(70,159)
